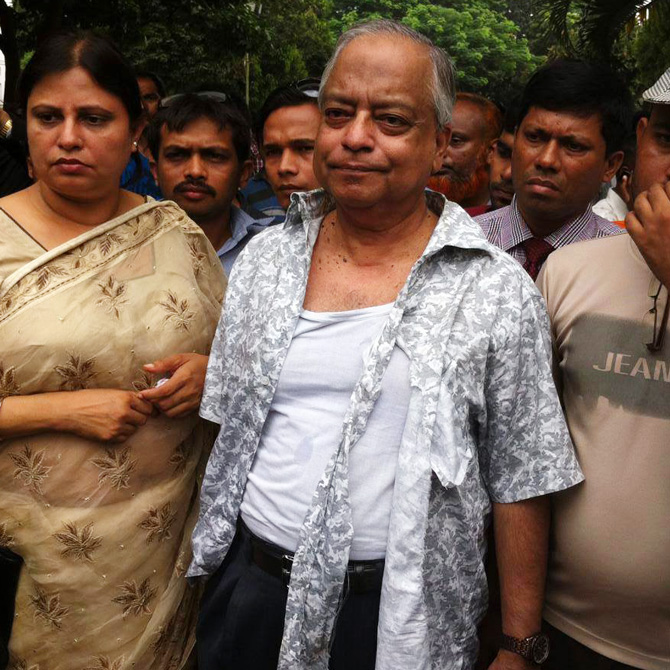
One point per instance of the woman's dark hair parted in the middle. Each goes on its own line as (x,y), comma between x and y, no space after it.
(96,54)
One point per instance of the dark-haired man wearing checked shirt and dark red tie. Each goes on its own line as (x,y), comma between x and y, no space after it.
(573,119)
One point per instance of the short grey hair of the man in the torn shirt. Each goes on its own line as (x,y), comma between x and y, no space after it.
(442,86)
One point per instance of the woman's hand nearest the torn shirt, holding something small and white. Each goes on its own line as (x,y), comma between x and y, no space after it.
(181,393)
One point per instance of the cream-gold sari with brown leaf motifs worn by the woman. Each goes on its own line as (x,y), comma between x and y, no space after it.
(103,529)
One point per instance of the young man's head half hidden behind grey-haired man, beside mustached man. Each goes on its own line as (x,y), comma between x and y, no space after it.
(286,131)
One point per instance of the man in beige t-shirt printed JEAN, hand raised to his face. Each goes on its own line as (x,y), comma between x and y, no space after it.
(608,586)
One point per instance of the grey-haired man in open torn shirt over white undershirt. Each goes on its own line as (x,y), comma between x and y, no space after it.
(381,377)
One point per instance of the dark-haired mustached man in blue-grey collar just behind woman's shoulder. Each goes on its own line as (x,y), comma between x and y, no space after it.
(201,143)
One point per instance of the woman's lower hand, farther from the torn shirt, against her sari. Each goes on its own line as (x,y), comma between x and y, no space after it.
(107,415)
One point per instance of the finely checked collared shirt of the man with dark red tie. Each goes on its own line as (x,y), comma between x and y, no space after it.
(506,229)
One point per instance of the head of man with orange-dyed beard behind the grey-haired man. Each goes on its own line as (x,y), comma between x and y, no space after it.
(464,175)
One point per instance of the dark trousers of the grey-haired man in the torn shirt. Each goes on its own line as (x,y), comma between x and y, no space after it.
(241,619)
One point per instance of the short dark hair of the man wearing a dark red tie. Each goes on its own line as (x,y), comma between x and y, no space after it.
(582,88)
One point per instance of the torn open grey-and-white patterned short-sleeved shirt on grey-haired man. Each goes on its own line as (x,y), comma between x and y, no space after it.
(483,423)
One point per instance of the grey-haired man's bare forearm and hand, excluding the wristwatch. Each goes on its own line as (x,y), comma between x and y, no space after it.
(521,535)
